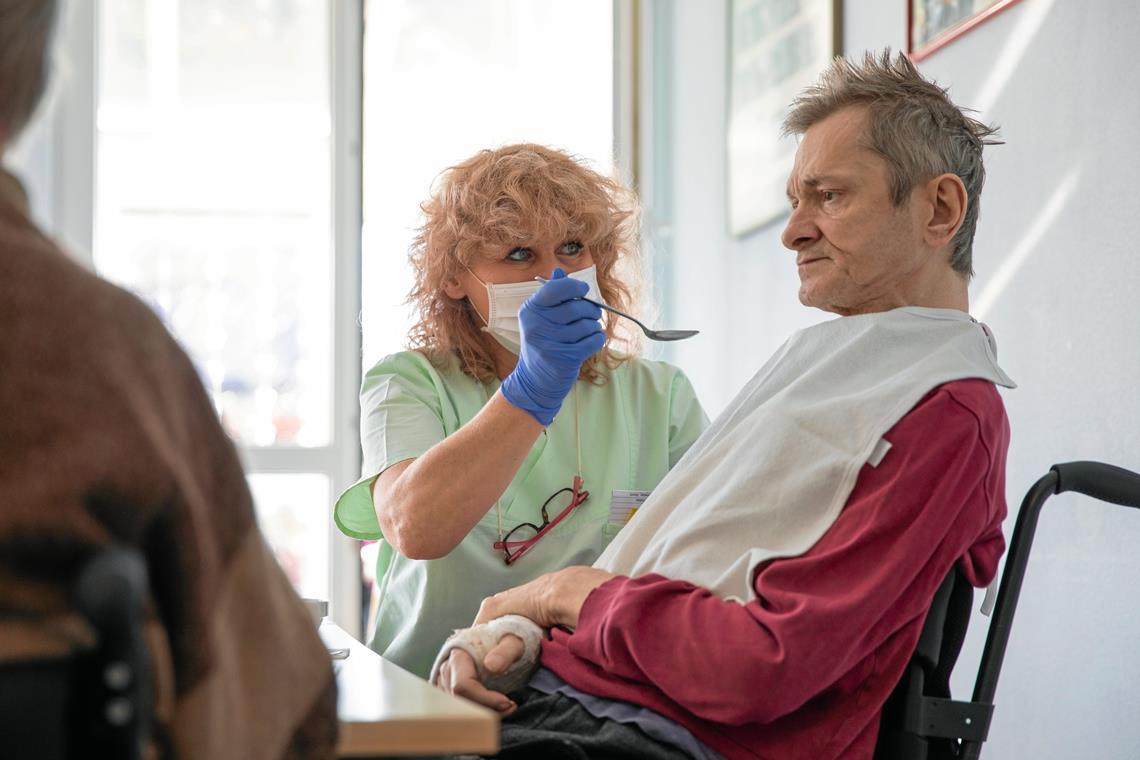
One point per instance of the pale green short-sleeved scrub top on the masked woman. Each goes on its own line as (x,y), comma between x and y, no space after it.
(634,429)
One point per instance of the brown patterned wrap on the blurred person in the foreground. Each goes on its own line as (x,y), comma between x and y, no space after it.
(107,435)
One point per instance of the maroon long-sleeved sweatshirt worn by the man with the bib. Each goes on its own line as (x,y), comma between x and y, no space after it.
(804,669)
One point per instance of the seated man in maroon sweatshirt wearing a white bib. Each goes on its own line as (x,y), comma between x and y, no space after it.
(766,600)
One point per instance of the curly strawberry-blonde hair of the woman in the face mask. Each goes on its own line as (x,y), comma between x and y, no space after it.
(511,197)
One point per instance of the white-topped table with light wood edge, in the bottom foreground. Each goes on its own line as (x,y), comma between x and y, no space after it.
(386,710)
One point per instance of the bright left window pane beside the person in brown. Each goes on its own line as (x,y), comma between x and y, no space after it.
(216,164)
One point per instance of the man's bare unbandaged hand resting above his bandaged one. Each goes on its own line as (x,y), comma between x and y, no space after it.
(551,600)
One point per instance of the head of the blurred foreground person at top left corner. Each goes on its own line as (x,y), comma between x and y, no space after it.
(26,36)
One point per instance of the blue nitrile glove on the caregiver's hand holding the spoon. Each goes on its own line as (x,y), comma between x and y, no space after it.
(560,332)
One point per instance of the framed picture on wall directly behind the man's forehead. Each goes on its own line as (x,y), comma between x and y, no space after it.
(776,48)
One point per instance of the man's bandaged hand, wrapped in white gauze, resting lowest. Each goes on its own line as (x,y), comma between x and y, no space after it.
(485,663)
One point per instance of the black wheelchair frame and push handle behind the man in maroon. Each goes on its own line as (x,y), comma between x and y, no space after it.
(921,721)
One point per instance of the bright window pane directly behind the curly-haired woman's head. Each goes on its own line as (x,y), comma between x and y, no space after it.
(445,79)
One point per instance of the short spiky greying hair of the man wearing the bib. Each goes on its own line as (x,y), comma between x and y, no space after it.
(913,124)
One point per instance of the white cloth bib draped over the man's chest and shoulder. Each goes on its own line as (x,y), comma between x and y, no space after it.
(772,473)
